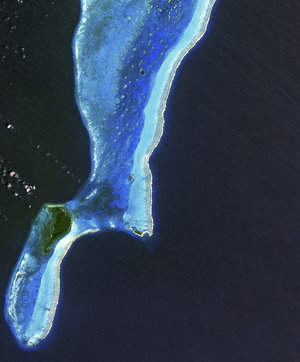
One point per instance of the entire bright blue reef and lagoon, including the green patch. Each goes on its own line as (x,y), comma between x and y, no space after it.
(125,53)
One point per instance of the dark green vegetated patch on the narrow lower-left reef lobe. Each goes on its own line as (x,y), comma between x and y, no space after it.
(60,226)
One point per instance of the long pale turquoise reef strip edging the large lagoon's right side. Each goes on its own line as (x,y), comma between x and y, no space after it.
(154,118)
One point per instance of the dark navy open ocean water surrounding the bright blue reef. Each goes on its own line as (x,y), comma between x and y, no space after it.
(223,284)
